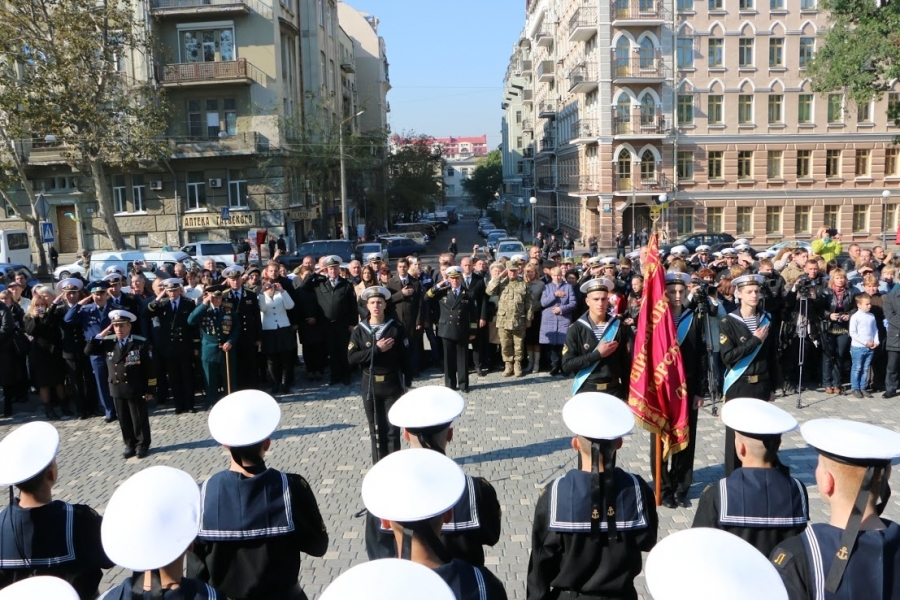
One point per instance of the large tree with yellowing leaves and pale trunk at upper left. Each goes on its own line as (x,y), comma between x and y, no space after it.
(77,71)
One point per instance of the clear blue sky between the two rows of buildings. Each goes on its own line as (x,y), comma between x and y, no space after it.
(447,62)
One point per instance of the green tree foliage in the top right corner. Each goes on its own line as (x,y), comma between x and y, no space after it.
(861,51)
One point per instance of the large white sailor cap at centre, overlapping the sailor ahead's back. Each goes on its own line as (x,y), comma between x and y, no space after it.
(412,485)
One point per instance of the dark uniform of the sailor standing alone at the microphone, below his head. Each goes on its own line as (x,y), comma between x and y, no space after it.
(390,375)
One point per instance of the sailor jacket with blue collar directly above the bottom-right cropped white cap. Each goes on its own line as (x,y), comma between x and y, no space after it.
(763,507)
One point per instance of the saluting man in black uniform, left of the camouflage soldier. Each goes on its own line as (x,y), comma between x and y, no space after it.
(456,326)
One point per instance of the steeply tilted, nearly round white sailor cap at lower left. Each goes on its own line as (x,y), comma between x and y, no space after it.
(151,519)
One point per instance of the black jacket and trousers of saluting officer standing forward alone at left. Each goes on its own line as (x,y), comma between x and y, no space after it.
(132,374)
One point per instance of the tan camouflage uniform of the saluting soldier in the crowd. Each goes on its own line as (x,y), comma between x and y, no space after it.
(515,310)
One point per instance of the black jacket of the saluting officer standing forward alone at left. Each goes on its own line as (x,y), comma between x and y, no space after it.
(132,372)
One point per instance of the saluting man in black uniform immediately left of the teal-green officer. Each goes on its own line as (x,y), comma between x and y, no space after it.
(176,341)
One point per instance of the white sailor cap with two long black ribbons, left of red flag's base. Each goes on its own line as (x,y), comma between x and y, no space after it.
(598,416)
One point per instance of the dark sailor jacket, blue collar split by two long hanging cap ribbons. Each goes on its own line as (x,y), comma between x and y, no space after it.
(566,556)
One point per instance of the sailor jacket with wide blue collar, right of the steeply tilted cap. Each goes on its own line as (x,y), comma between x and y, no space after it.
(252,531)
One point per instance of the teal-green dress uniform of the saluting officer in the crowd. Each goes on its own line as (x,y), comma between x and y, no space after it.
(216,328)
